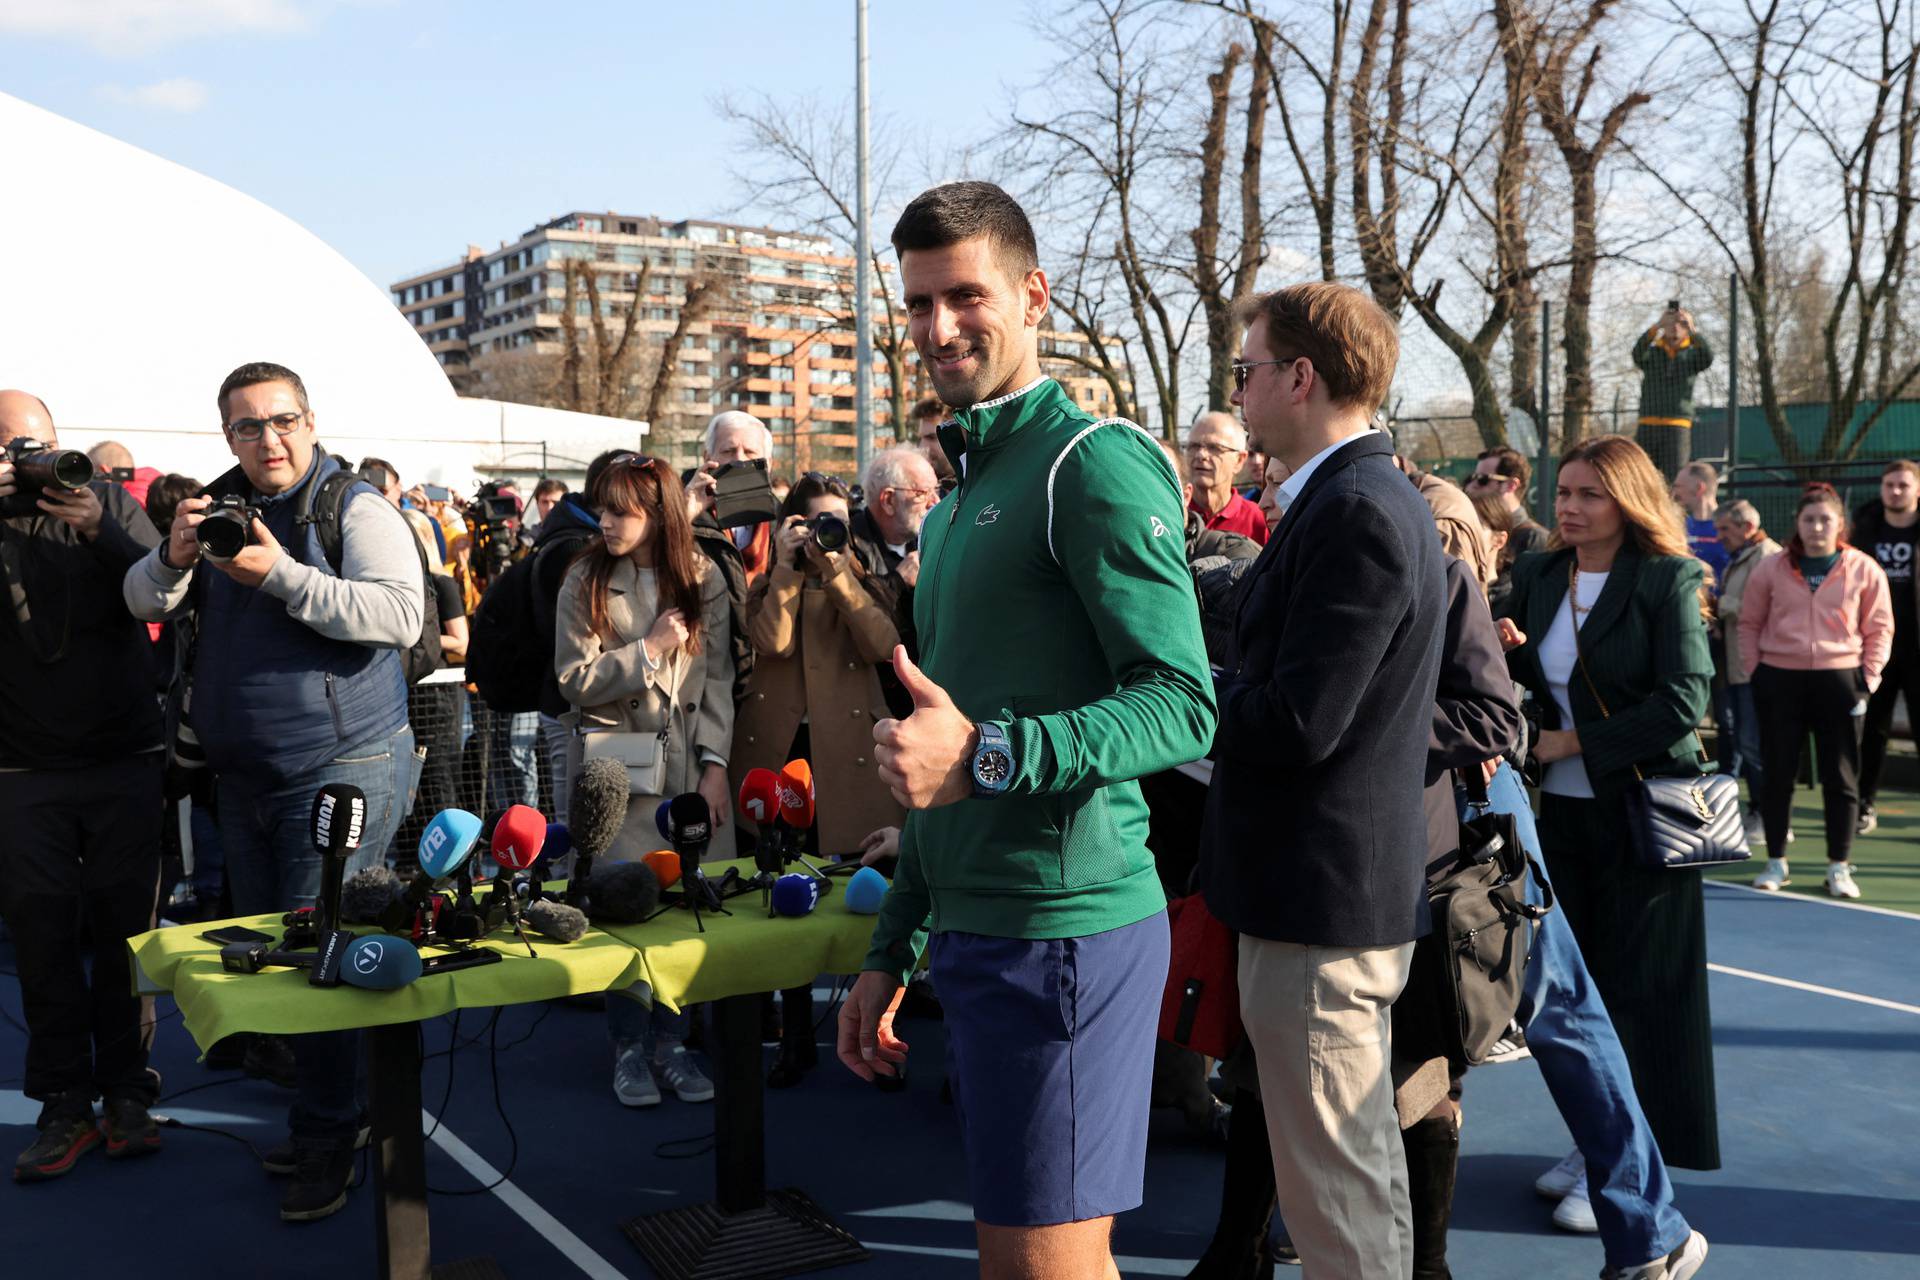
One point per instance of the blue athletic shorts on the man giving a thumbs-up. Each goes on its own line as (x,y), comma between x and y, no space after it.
(1051,1056)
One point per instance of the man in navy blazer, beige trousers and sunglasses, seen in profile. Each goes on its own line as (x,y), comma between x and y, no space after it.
(1316,843)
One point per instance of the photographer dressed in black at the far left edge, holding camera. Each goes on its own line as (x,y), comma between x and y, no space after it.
(80,792)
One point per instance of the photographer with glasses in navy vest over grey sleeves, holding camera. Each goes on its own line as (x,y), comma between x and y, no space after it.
(297,684)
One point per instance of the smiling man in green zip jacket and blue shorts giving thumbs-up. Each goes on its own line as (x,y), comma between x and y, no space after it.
(1063,661)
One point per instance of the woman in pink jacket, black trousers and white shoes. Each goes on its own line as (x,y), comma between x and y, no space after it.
(1815,630)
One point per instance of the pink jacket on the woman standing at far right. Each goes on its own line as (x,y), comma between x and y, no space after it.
(1846,625)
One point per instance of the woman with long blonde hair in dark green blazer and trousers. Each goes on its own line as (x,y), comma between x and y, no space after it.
(1621,582)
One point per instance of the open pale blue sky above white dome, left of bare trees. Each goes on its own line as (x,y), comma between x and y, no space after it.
(402,130)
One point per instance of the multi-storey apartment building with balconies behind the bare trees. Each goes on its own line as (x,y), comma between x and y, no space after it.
(775,335)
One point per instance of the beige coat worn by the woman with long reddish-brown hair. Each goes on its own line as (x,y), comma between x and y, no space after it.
(612,688)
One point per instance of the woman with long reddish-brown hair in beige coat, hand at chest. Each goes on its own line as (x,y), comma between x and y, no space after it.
(642,652)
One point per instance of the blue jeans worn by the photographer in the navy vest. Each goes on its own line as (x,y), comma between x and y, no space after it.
(272,866)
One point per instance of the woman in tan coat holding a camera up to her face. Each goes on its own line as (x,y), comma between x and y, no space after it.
(817,634)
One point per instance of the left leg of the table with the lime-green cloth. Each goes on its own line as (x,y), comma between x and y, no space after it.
(402,1241)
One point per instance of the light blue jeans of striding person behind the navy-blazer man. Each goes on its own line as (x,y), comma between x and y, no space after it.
(1585,1068)
